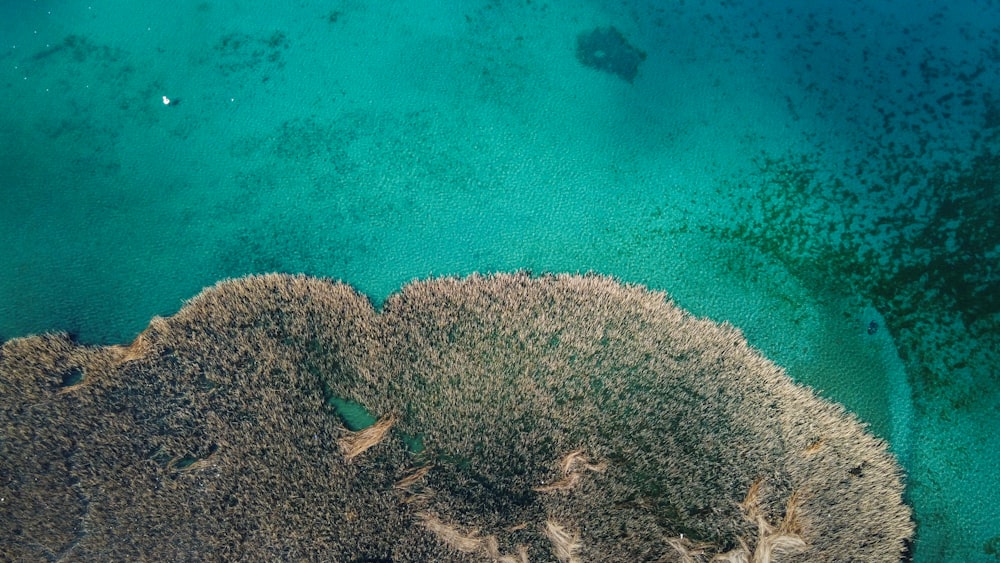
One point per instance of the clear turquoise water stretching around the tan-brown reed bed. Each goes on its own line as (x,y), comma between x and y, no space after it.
(824,177)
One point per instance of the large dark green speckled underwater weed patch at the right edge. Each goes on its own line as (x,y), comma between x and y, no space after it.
(928,265)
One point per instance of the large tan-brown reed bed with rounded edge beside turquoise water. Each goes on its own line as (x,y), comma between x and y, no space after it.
(506,418)
